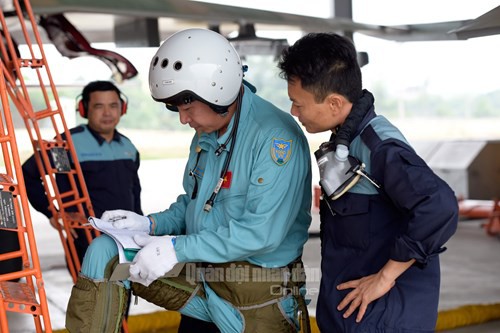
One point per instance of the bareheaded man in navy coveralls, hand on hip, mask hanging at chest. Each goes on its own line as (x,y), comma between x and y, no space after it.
(384,217)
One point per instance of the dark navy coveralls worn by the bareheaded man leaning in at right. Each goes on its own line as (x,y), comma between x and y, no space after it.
(410,217)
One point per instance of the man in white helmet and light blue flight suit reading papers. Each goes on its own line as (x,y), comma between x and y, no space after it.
(241,224)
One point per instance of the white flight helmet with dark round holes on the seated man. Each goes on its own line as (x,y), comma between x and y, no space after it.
(196,64)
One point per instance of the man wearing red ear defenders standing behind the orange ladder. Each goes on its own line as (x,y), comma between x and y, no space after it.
(108,159)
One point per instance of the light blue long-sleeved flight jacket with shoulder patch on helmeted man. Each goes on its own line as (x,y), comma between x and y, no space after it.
(262,214)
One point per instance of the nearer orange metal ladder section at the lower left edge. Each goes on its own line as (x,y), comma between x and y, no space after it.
(21,291)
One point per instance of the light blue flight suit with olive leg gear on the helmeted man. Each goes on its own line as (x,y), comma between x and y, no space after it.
(259,219)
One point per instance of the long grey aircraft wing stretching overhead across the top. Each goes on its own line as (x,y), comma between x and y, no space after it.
(215,14)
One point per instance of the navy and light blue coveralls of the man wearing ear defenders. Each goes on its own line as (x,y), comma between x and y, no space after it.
(111,175)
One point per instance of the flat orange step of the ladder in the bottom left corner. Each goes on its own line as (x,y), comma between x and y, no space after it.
(18,297)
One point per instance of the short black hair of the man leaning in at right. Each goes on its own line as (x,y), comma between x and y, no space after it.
(325,63)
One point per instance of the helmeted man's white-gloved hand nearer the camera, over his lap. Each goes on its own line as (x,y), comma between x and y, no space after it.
(156,258)
